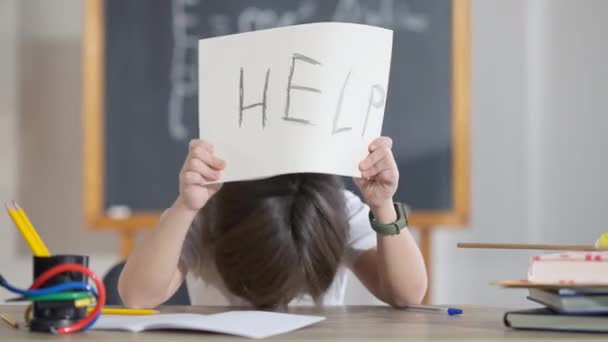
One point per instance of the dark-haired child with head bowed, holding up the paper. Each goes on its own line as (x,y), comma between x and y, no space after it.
(277,241)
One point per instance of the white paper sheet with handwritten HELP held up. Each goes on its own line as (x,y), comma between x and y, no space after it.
(304,98)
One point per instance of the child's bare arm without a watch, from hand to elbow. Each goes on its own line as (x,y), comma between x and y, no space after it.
(152,273)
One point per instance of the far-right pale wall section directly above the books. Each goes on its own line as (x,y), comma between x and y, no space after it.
(572,124)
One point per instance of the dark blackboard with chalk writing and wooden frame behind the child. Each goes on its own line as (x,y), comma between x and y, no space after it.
(144,95)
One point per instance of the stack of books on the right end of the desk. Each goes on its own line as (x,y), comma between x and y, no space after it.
(572,287)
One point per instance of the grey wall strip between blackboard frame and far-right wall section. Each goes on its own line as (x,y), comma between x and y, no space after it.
(498,156)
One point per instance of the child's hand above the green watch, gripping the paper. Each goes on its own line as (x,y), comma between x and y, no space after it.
(380,174)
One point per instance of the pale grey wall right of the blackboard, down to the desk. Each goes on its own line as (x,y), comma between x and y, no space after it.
(539,92)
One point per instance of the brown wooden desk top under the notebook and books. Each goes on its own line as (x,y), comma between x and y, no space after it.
(355,323)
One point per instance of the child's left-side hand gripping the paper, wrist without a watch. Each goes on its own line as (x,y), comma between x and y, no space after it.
(201,166)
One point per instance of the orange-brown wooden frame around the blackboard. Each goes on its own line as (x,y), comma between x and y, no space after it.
(94,145)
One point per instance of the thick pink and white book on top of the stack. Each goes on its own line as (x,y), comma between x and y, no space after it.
(569,268)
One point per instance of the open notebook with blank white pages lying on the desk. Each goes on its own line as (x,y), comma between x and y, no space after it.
(252,324)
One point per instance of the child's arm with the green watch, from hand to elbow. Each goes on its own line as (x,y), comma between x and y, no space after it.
(394,271)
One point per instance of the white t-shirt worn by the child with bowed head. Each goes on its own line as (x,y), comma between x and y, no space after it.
(206,287)
